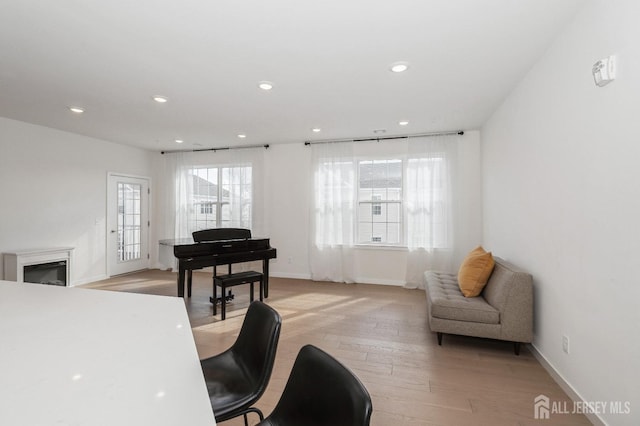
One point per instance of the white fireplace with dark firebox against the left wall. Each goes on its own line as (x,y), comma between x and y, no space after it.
(42,266)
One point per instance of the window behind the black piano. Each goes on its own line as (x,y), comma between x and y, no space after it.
(221,197)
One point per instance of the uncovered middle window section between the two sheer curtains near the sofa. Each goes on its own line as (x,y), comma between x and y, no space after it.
(380,201)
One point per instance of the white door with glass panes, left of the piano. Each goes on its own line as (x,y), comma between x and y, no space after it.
(127,224)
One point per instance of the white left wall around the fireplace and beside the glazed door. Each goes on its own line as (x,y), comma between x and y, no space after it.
(53,187)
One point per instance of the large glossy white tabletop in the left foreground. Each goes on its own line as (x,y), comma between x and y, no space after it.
(73,356)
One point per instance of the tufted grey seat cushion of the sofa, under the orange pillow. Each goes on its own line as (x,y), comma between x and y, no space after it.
(447,301)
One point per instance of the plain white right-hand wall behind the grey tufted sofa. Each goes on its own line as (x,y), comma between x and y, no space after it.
(562,199)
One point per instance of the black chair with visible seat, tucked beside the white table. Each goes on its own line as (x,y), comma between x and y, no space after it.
(238,377)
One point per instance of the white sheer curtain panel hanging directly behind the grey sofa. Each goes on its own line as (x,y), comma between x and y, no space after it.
(430,195)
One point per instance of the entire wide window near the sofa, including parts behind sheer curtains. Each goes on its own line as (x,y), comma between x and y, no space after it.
(399,200)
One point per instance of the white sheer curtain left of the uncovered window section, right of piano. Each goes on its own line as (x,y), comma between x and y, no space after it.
(333,211)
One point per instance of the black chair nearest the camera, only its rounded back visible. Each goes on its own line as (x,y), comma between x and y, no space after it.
(321,392)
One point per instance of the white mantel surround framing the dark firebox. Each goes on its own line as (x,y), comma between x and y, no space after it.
(15,262)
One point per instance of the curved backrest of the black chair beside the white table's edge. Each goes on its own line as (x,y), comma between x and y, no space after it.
(257,343)
